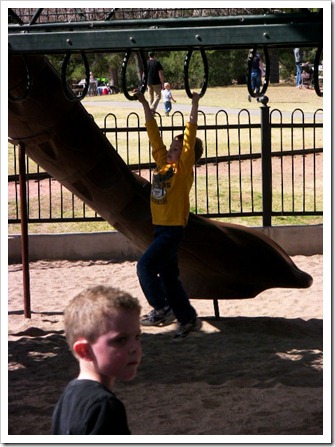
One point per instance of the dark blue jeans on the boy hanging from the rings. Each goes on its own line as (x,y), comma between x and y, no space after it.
(158,273)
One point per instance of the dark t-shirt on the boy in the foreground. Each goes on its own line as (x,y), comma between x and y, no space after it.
(88,408)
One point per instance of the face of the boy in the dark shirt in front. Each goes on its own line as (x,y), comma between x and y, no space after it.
(117,353)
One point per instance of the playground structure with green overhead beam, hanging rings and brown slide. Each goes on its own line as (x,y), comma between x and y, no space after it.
(217,261)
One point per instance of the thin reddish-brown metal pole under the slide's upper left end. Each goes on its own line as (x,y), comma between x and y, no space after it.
(24,231)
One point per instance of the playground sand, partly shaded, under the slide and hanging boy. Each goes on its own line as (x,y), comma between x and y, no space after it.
(257,371)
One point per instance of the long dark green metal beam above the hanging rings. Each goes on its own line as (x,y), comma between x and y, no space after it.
(238,36)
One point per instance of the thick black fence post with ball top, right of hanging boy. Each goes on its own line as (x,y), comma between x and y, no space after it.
(266,166)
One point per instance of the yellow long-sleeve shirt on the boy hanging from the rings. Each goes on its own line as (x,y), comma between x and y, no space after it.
(172,182)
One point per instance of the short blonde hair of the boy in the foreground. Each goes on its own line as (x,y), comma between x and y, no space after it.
(87,314)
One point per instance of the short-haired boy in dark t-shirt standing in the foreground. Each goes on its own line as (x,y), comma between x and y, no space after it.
(102,329)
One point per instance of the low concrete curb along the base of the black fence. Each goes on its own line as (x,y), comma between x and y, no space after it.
(295,240)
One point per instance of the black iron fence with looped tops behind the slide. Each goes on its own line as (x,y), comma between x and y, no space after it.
(268,169)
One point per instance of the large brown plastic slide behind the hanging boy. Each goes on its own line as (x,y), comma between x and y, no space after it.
(217,260)
